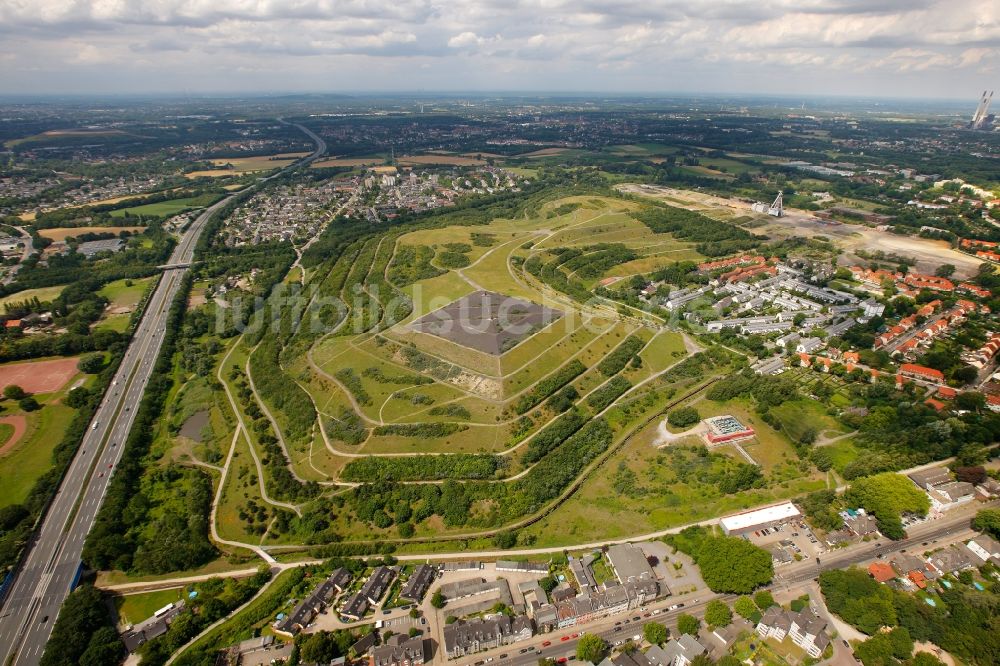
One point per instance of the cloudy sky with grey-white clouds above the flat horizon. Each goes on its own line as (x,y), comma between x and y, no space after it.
(908,48)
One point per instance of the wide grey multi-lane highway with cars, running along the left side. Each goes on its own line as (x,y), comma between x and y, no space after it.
(50,568)
